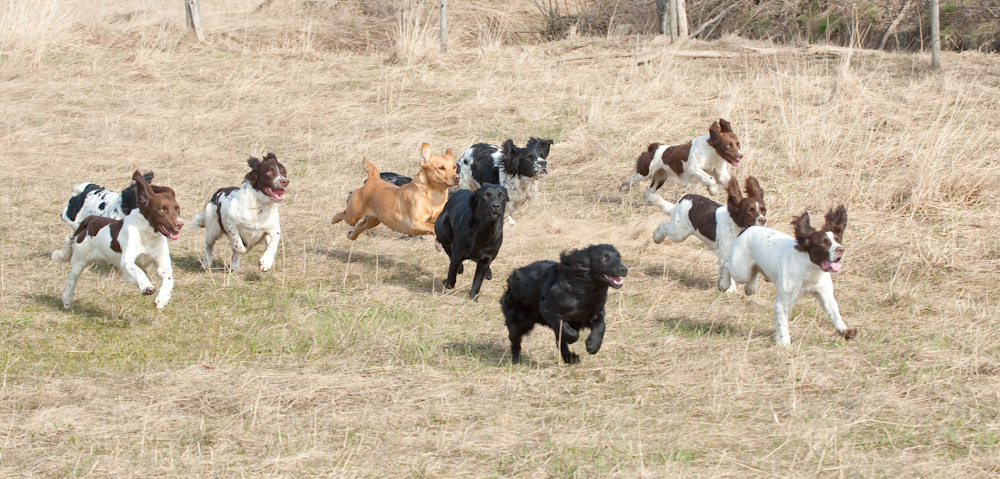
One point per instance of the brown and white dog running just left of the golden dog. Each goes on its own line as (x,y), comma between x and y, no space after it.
(247,215)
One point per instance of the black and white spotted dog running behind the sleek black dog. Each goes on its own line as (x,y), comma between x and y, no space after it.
(516,169)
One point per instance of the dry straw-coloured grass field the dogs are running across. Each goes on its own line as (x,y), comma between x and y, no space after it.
(348,359)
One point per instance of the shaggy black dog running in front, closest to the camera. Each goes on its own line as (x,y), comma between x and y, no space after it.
(565,296)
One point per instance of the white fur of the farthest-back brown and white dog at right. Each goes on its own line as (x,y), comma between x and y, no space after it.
(704,166)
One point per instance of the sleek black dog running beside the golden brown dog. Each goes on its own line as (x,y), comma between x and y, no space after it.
(471,227)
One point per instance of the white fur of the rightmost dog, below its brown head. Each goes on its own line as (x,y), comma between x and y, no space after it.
(764,250)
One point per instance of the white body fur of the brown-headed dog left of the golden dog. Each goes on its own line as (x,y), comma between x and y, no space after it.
(250,217)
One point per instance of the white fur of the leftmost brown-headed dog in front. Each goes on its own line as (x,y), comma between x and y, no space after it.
(141,247)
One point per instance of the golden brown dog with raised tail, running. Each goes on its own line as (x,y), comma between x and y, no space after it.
(409,209)
